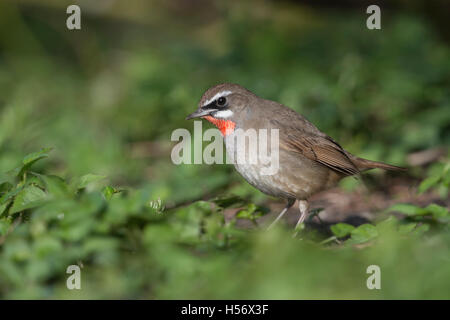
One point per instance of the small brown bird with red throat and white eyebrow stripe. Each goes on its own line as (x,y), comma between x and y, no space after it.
(309,160)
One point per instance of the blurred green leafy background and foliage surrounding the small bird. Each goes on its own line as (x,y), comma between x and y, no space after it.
(107,97)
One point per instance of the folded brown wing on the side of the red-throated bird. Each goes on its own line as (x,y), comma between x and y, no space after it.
(315,145)
